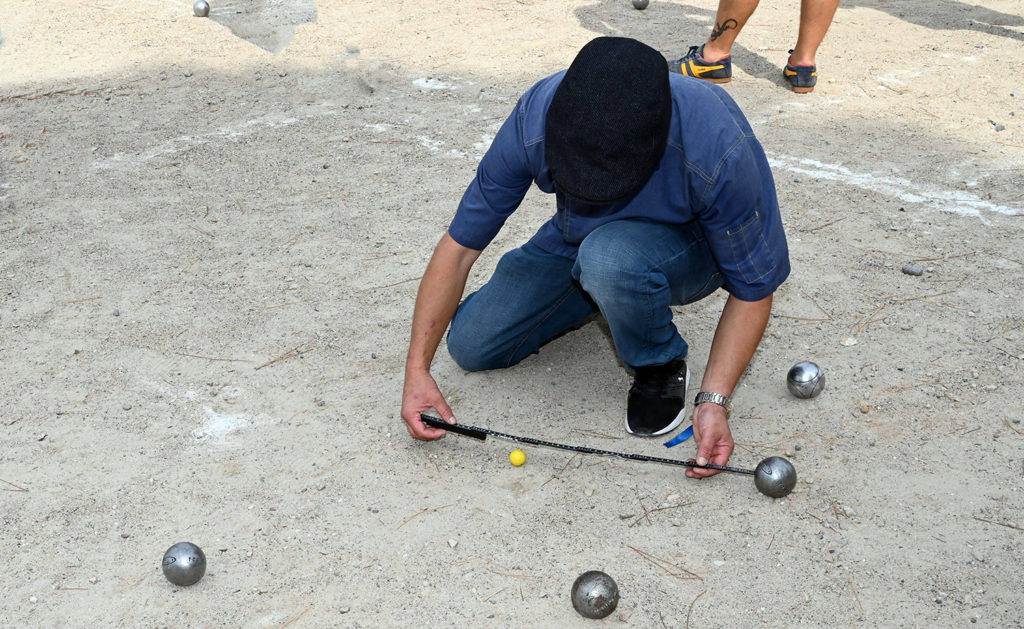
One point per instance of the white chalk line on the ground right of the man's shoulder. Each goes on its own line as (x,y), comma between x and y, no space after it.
(910,192)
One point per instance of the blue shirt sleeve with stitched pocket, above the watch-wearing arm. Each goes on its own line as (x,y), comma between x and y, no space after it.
(742,223)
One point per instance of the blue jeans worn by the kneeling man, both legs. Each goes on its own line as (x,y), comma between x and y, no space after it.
(632,272)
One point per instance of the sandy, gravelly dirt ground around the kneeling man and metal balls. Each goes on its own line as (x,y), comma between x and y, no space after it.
(212,231)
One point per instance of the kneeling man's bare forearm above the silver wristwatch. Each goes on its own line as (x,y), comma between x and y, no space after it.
(739,333)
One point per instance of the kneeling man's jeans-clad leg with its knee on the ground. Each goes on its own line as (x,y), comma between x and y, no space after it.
(531,299)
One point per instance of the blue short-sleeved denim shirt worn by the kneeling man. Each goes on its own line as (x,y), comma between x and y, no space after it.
(714,172)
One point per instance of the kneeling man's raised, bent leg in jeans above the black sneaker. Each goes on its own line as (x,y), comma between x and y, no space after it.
(635,271)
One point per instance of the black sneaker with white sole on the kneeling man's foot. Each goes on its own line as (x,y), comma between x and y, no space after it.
(658,399)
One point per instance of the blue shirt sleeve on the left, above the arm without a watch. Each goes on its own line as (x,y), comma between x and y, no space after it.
(502,180)
